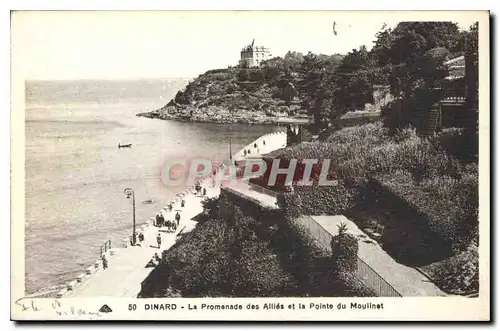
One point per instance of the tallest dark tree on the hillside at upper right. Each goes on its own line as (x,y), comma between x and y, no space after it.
(414,53)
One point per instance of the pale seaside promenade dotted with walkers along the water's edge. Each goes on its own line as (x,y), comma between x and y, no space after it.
(127,266)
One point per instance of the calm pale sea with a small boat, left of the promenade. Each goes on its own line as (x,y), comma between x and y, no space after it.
(75,174)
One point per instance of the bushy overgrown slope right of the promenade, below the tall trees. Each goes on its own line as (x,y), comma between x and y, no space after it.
(424,173)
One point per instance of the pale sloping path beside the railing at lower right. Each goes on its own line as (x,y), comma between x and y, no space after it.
(406,280)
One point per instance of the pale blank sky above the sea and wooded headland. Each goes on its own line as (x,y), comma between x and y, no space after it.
(58,45)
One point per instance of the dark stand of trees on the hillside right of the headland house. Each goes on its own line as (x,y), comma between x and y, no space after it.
(409,58)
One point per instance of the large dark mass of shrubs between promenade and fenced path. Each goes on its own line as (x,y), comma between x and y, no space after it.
(233,255)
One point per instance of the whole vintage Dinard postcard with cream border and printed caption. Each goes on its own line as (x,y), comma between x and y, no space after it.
(250,165)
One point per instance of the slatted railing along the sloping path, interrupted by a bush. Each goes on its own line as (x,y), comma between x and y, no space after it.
(364,273)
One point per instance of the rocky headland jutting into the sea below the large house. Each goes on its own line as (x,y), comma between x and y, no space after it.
(236,95)
